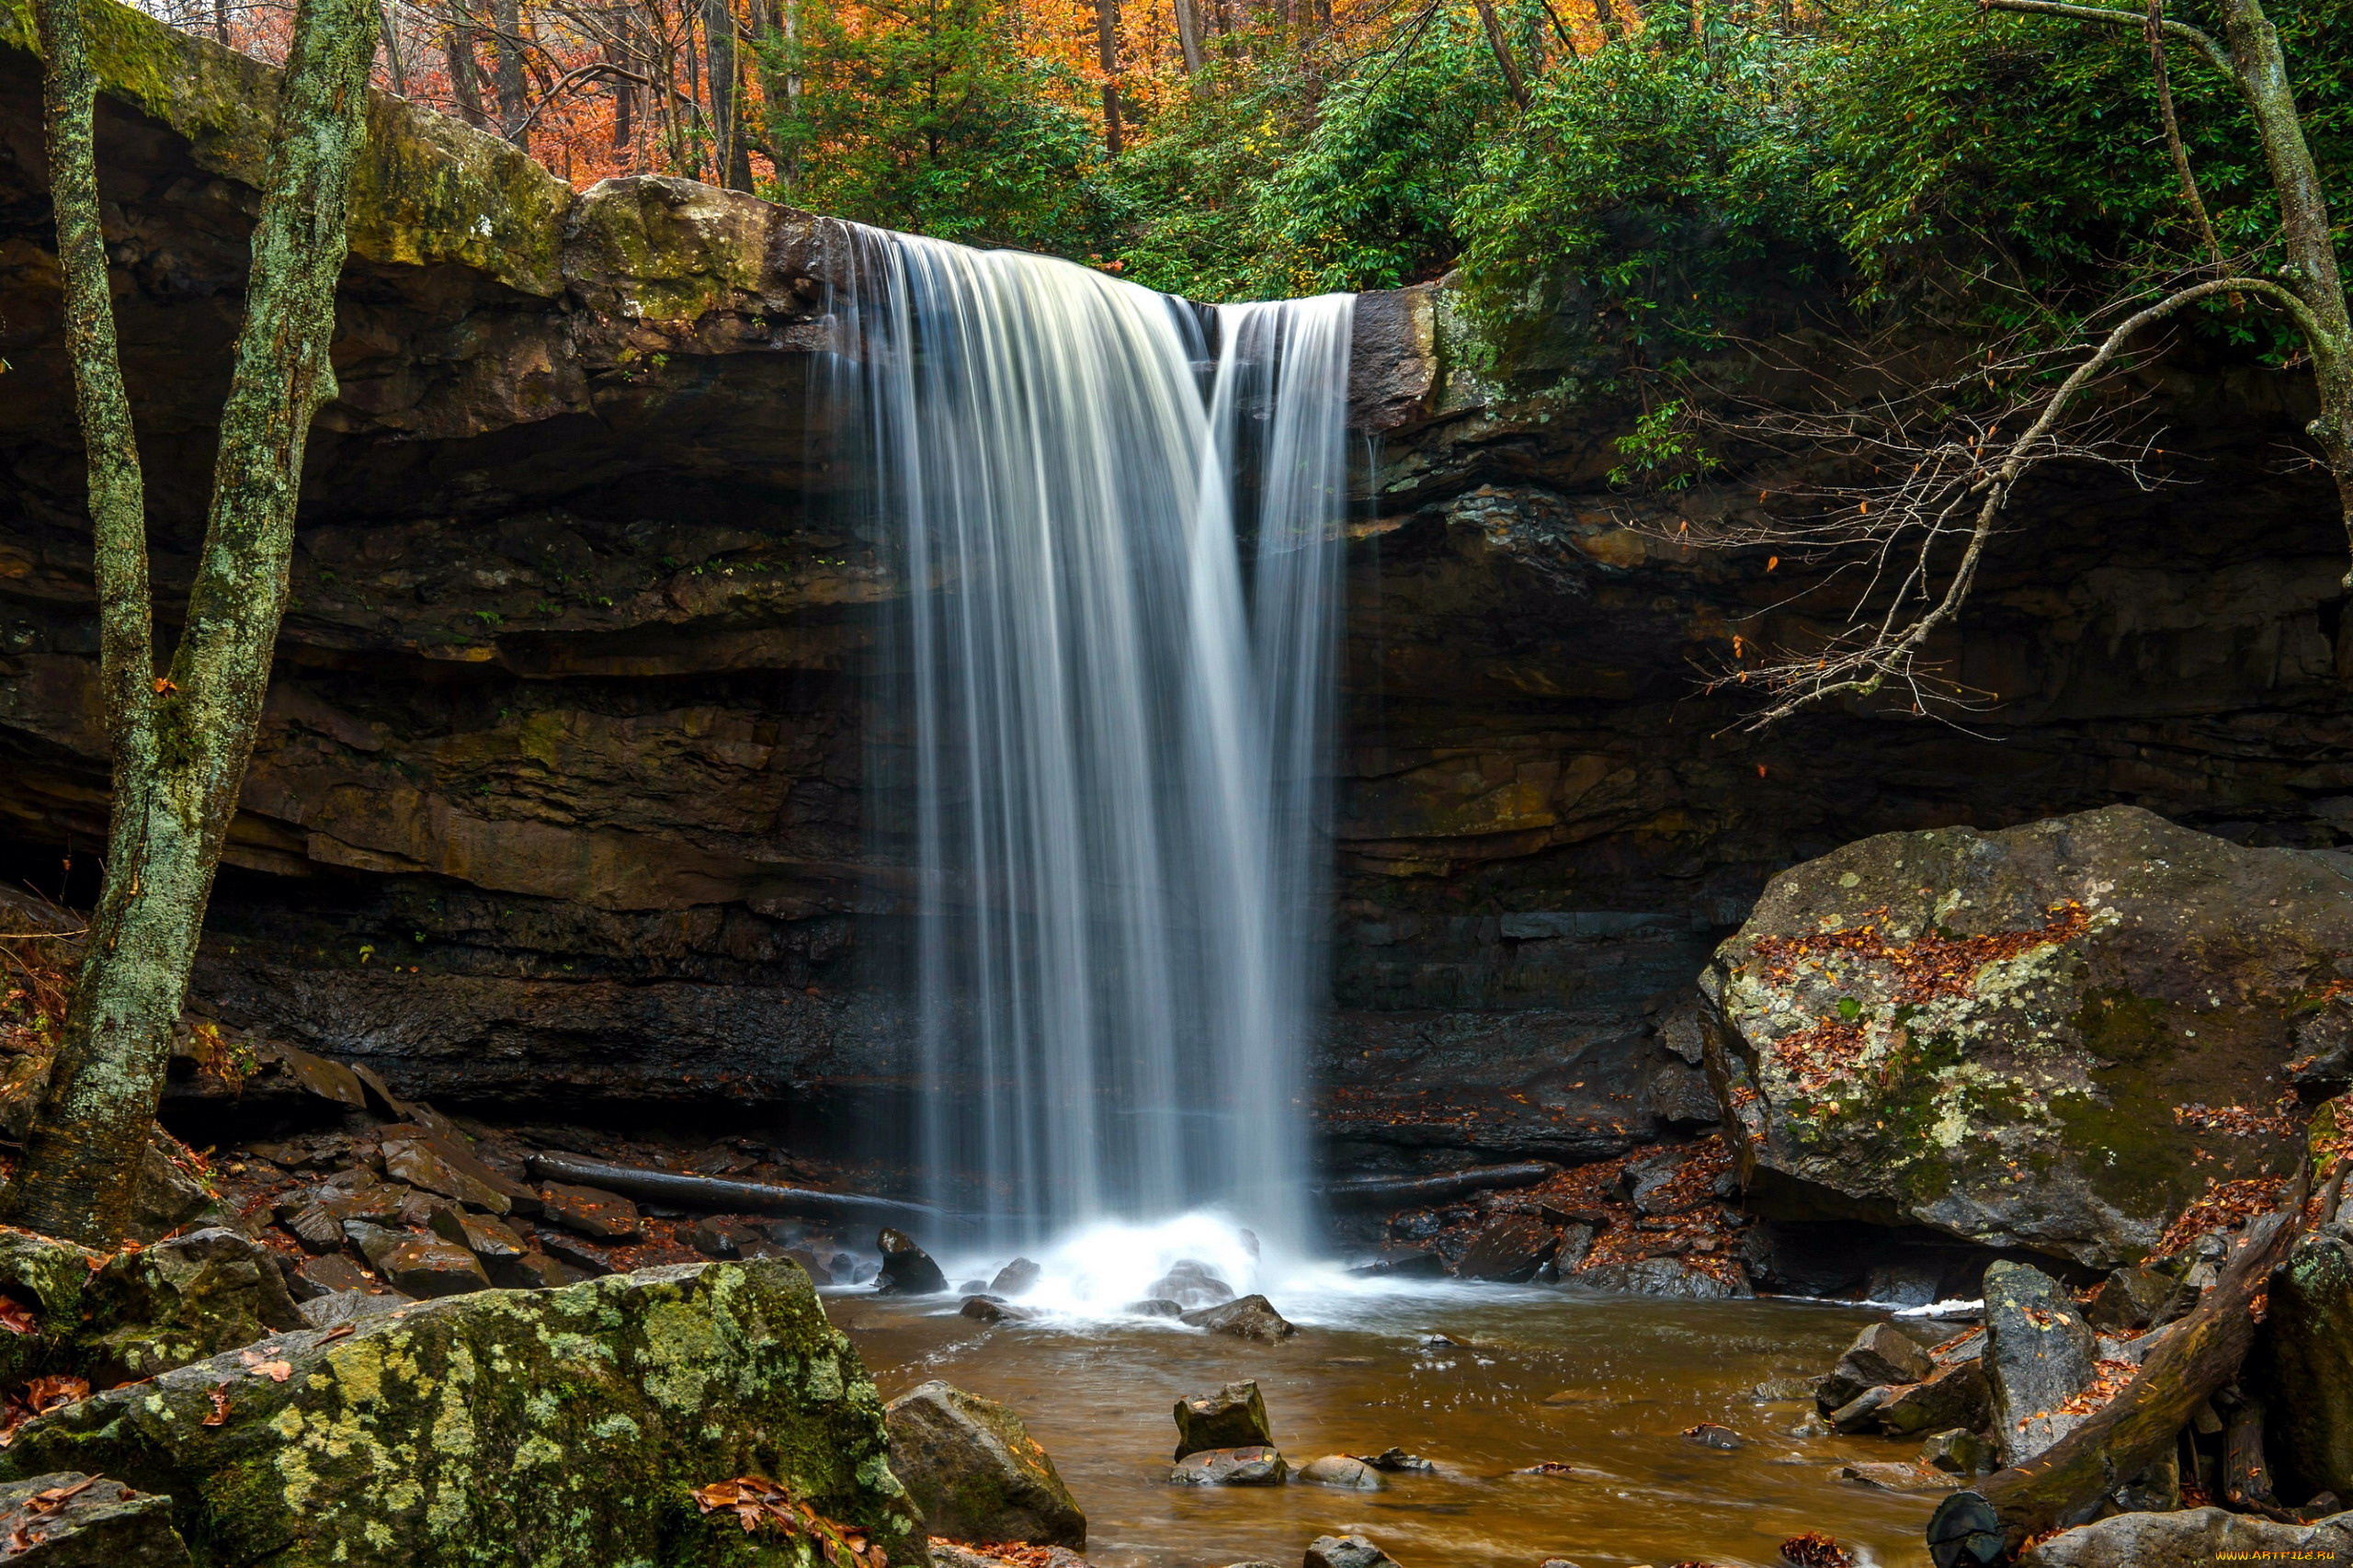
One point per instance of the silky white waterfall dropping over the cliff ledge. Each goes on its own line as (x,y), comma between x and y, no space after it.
(1107,717)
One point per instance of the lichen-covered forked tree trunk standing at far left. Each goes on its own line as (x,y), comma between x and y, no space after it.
(182,738)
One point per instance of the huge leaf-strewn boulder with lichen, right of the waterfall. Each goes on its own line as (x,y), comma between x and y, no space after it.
(2048,1037)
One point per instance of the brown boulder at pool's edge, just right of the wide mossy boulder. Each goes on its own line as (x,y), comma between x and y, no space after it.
(978,1473)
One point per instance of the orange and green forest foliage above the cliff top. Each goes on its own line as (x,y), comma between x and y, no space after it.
(1651,166)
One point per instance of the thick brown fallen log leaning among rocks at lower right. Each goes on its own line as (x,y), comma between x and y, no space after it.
(2065,1484)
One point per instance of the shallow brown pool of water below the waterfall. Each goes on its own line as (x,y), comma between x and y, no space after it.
(1606,1386)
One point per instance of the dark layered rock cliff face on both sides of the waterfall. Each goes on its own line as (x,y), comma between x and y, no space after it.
(559,797)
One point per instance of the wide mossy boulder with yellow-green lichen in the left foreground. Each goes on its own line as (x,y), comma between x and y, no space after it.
(549,1428)
